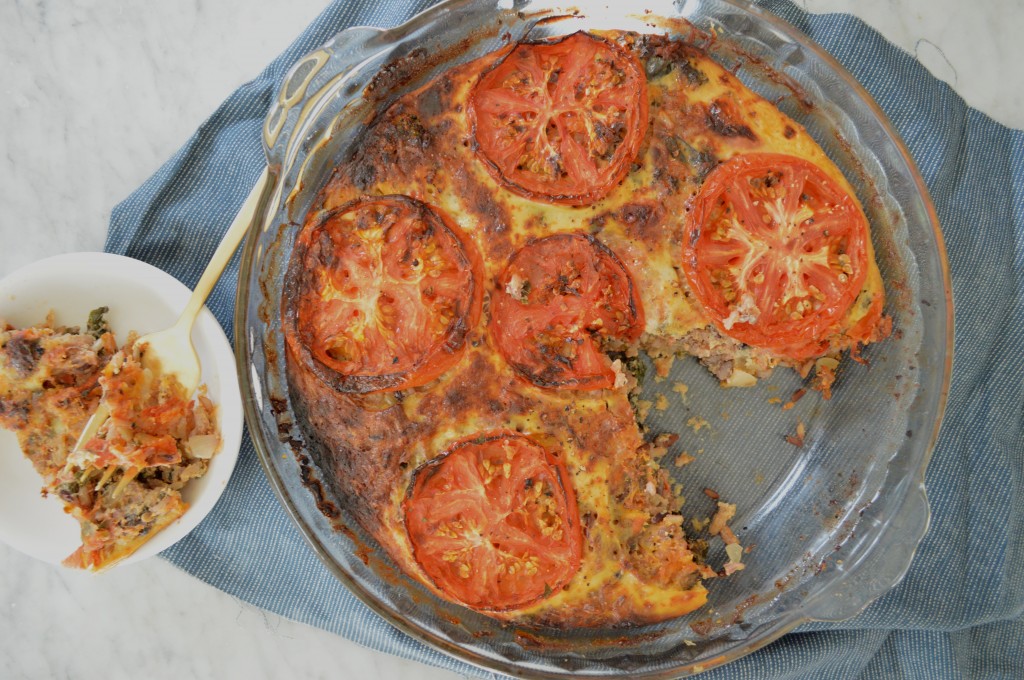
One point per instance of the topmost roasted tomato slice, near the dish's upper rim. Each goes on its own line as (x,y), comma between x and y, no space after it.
(562,121)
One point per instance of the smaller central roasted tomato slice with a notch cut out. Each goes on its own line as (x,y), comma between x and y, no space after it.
(559,300)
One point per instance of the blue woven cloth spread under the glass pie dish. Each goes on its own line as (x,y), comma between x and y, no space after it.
(960,612)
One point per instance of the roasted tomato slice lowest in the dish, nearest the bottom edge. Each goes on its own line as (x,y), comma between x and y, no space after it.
(494,522)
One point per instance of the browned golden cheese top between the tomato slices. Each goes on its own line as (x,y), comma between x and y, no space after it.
(637,565)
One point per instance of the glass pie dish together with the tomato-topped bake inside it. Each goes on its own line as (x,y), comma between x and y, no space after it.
(594,342)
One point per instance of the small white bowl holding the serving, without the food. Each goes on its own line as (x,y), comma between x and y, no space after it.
(141,299)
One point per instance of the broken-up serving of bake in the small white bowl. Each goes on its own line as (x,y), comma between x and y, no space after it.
(123,485)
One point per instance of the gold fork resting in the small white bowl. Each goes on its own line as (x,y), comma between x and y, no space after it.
(172,351)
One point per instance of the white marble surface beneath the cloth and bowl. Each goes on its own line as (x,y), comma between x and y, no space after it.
(96,96)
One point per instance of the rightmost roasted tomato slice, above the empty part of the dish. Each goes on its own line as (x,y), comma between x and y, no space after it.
(777,252)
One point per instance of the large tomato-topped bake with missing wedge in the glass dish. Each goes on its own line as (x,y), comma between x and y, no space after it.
(467,300)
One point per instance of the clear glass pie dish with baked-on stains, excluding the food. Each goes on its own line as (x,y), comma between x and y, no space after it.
(834,523)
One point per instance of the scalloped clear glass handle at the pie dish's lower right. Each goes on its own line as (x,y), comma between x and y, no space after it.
(882,567)
